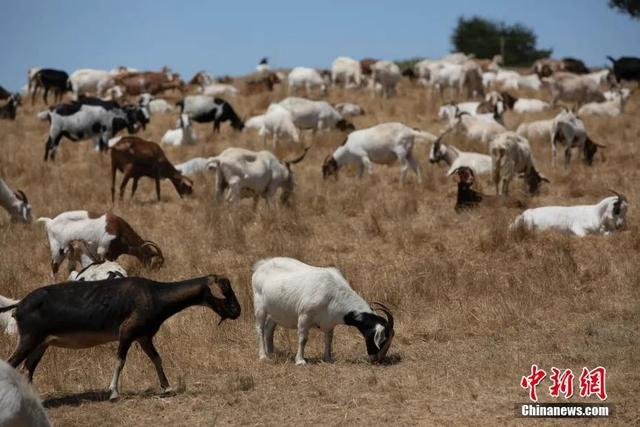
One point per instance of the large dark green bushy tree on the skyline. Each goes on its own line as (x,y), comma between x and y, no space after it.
(485,38)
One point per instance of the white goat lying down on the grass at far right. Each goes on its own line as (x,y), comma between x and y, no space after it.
(604,217)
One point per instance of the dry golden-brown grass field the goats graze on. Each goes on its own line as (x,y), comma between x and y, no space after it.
(474,306)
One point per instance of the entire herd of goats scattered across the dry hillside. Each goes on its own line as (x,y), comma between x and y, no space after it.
(100,304)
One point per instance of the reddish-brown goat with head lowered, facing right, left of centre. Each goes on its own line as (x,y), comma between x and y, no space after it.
(135,158)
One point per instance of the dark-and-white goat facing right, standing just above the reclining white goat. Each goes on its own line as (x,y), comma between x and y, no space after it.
(568,129)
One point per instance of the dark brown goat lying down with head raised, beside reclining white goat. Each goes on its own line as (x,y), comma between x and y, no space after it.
(468,198)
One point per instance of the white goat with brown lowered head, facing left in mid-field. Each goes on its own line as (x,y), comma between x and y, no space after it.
(383,144)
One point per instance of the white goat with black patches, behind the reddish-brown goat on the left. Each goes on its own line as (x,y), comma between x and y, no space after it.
(90,118)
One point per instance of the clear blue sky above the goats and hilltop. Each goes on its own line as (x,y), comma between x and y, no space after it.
(229,37)
